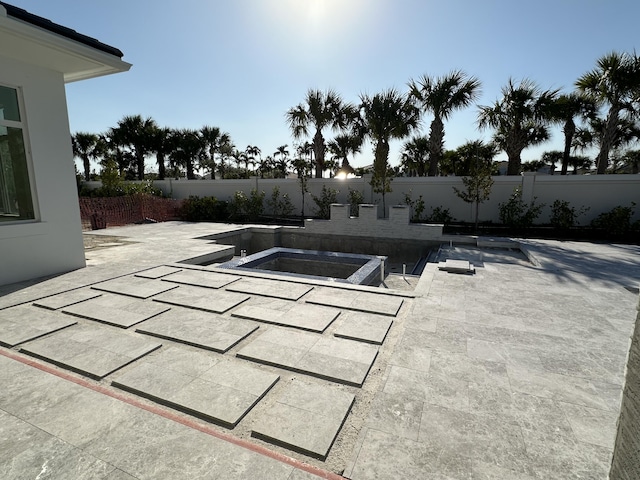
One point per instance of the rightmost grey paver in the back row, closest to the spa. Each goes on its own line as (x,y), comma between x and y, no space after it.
(352,300)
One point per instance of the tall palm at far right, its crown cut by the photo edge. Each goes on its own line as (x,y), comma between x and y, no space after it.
(614,82)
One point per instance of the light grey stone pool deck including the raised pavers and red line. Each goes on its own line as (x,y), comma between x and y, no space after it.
(140,366)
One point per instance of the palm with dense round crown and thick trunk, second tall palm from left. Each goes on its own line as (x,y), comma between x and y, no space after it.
(386,116)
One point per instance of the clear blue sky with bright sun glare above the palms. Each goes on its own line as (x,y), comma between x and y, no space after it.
(241,64)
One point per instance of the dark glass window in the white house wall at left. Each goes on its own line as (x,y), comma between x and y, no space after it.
(15,189)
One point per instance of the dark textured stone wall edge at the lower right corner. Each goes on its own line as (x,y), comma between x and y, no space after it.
(626,453)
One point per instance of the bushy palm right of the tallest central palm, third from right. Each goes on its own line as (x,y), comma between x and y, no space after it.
(520,119)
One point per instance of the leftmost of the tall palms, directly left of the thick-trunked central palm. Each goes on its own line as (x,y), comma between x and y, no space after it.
(319,111)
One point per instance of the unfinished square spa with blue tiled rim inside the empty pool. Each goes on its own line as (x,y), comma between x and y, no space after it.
(329,266)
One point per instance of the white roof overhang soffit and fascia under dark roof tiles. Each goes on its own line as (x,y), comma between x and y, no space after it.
(34,45)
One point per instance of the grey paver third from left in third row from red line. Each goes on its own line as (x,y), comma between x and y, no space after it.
(305,317)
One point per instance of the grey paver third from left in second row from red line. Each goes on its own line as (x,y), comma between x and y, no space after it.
(201,329)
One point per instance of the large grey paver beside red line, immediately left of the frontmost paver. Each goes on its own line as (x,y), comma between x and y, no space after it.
(221,392)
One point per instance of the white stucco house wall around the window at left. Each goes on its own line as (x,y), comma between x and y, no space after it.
(53,242)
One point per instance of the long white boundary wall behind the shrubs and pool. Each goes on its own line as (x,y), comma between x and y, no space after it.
(600,193)
